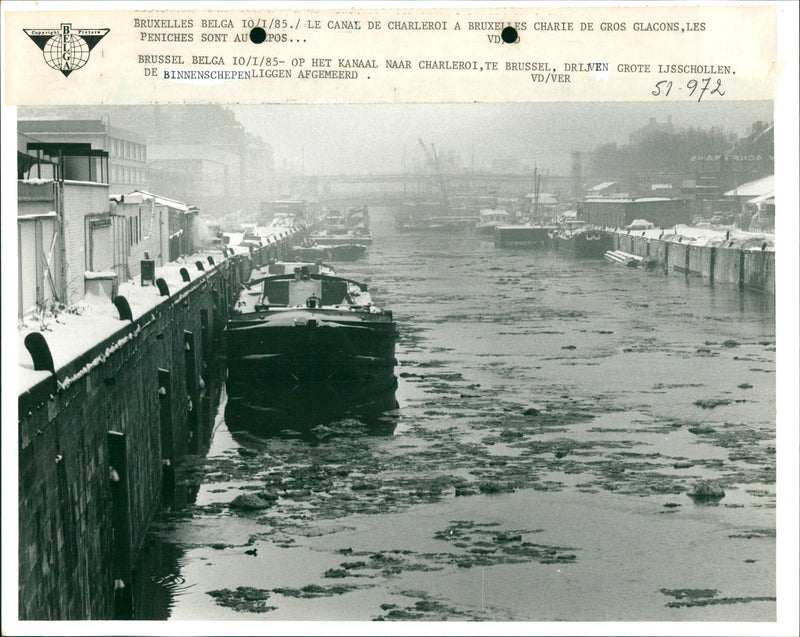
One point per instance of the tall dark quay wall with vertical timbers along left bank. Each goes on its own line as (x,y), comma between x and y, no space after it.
(99,442)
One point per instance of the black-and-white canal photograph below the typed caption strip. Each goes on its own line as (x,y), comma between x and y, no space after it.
(398,362)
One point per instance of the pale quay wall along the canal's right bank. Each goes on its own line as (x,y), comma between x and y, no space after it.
(751,269)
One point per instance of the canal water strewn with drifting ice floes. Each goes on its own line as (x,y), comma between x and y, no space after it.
(553,415)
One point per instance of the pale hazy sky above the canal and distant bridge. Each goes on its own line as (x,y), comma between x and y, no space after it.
(348,138)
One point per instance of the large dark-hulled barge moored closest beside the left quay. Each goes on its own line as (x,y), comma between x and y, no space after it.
(311,333)
